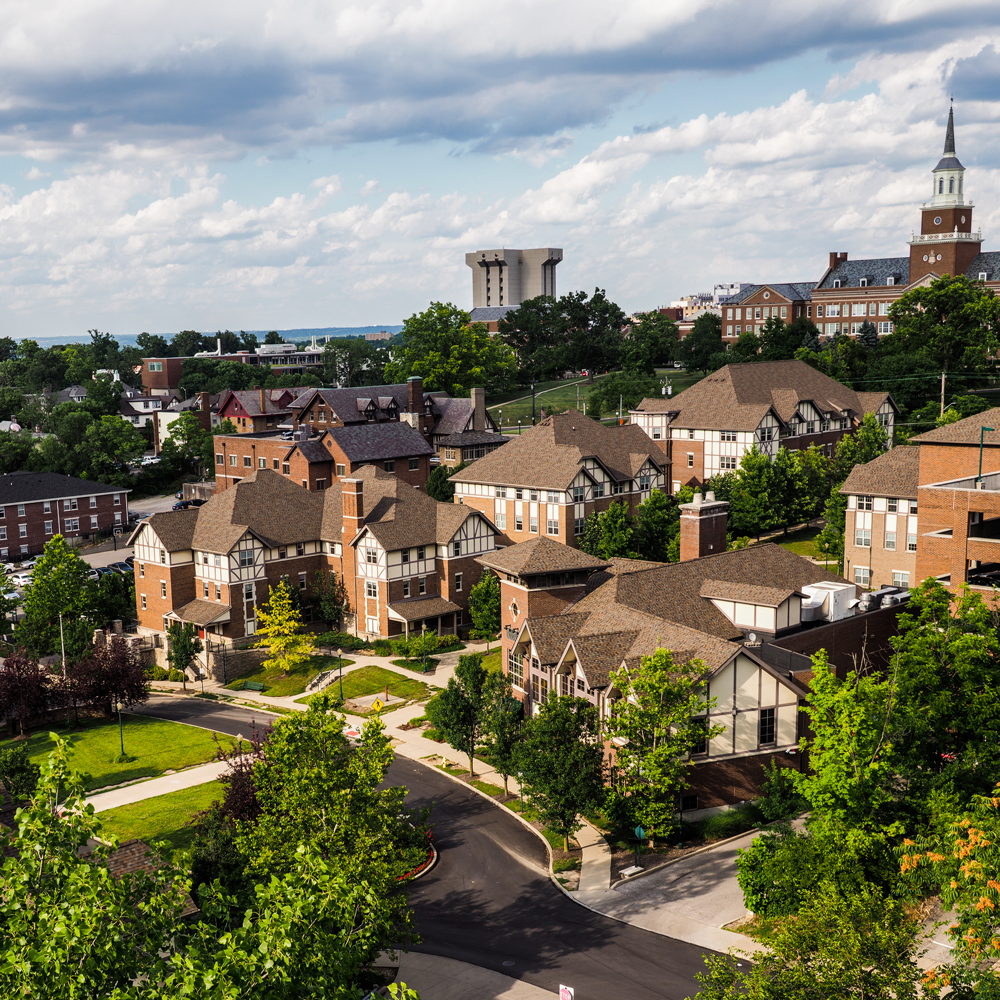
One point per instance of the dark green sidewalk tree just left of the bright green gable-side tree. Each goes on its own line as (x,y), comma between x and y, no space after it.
(561,761)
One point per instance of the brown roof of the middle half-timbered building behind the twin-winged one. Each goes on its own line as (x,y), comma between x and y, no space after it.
(551,454)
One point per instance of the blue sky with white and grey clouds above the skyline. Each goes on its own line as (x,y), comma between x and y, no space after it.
(277,165)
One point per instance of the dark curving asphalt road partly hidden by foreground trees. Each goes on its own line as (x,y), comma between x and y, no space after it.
(489,900)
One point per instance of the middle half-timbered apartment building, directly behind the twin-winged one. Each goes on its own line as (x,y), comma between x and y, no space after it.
(548,480)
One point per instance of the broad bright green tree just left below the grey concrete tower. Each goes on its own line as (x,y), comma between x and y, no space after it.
(451,354)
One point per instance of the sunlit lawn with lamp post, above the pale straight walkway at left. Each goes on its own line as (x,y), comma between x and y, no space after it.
(154,745)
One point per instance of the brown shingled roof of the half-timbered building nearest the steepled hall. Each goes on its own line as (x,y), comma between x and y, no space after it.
(737,397)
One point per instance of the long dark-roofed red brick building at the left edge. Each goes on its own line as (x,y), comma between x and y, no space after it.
(35,506)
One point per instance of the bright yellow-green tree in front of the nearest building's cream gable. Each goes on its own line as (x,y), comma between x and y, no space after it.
(662,716)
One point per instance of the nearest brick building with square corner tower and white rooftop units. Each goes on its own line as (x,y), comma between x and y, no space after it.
(570,620)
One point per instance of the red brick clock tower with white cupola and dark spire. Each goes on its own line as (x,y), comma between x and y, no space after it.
(946,243)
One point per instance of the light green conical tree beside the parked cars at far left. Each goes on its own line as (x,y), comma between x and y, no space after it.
(58,585)
